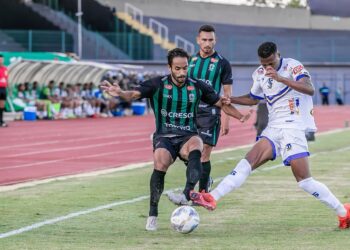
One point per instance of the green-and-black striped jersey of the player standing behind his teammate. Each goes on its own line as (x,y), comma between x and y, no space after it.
(215,71)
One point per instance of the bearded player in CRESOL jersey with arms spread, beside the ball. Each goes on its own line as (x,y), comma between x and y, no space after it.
(174,99)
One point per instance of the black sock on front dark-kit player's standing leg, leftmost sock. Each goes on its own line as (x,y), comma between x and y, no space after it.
(156,187)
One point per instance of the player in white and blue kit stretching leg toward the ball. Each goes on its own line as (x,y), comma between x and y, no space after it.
(286,86)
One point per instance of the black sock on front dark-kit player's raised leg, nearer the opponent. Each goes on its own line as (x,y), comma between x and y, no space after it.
(193,172)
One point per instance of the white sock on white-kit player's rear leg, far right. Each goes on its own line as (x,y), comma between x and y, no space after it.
(323,194)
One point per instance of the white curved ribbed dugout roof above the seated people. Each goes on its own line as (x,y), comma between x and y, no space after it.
(68,72)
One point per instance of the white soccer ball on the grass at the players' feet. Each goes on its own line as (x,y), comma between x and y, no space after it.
(184,219)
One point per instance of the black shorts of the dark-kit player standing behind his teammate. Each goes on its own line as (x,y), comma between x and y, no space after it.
(209,129)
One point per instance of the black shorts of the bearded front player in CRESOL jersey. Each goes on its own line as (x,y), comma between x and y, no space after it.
(172,144)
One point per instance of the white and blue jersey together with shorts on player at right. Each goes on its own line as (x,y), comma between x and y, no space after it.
(290,112)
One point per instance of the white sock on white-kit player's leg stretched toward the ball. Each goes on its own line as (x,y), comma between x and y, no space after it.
(233,180)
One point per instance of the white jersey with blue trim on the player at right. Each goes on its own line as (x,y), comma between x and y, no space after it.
(287,108)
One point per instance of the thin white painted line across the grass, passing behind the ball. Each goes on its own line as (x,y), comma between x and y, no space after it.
(114,204)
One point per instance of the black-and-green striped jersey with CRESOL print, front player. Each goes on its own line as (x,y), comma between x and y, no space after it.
(175,108)
